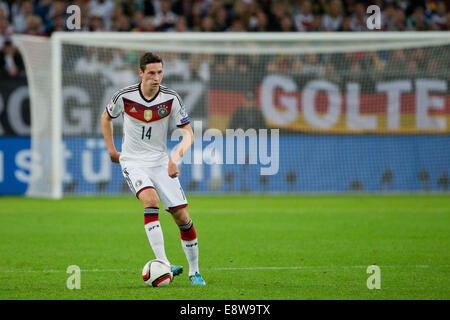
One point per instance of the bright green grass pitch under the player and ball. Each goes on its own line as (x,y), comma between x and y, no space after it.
(251,247)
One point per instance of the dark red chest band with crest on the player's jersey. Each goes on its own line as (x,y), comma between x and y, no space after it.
(147,114)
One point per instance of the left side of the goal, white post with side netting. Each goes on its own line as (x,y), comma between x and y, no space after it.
(42,62)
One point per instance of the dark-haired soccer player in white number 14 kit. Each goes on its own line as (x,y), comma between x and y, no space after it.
(147,108)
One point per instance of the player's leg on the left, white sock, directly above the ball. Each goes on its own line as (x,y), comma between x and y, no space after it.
(141,185)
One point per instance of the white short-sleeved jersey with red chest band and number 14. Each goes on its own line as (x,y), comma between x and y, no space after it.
(145,124)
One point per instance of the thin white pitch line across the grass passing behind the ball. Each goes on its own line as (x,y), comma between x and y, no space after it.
(238,268)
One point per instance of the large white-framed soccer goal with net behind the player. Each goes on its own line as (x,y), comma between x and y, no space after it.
(287,112)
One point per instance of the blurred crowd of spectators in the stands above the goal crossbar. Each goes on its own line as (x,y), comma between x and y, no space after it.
(43,17)
